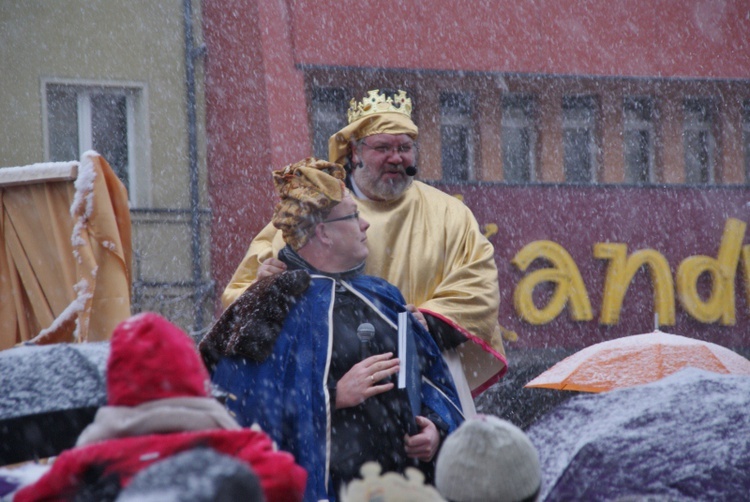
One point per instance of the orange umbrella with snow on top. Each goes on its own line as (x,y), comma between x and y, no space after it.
(635,360)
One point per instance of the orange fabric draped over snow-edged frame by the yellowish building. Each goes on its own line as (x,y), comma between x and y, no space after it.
(65,258)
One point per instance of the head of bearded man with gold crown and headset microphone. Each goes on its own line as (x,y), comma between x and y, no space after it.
(378,145)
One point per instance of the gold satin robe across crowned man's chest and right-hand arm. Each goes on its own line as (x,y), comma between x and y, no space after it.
(429,245)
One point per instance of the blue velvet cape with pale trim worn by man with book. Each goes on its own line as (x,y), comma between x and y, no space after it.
(287,393)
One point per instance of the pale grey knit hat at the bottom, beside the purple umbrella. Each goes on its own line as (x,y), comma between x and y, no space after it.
(488,459)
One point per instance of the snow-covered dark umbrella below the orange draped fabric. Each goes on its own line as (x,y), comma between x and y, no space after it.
(50,393)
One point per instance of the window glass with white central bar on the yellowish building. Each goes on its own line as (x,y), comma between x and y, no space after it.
(94,117)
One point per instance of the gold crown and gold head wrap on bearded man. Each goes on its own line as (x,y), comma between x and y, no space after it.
(376,113)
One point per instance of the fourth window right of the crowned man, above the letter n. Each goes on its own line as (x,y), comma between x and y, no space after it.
(638,140)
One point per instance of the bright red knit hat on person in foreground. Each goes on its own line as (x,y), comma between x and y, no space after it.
(150,359)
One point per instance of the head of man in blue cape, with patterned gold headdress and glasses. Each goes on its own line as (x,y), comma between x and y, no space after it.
(318,218)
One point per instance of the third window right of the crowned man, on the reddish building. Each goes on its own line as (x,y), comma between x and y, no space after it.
(579,139)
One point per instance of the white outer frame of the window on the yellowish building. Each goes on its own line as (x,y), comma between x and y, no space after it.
(136,99)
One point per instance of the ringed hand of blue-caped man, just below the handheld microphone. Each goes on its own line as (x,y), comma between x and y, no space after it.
(361,381)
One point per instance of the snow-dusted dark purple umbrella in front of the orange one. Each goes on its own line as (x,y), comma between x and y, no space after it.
(686,437)
